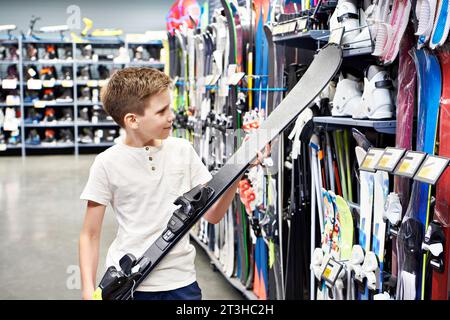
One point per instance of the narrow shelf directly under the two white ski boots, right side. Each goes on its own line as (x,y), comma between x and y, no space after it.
(383,126)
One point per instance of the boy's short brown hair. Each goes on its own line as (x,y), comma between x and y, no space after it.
(128,91)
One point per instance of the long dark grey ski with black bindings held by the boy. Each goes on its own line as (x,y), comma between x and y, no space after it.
(120,284)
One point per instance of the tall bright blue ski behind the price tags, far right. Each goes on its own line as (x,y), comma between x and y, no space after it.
(411,263)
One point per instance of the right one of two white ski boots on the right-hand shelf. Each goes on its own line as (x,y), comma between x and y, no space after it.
(376,101)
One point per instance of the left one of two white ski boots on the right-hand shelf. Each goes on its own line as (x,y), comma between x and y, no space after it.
(347,99)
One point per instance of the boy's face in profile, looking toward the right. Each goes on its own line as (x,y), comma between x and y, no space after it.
(156,123)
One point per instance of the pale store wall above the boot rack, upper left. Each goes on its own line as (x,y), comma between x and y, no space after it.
(132,16)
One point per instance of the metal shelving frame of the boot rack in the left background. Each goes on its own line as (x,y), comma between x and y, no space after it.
(76,83)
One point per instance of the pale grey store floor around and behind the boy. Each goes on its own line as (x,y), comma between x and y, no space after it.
(41,217)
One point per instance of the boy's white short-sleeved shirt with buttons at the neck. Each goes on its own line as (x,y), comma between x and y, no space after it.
(141,185)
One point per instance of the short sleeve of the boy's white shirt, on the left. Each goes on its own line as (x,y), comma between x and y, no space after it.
(97,187)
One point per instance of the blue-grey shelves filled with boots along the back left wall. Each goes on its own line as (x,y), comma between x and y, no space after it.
(108,44)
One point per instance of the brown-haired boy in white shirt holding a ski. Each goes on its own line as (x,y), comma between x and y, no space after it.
(140,178)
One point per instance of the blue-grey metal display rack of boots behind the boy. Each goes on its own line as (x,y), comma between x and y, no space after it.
(75,84)
